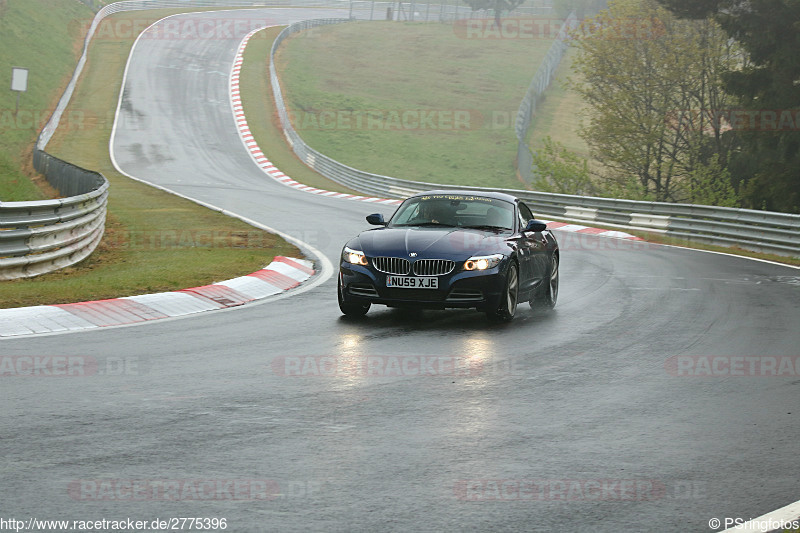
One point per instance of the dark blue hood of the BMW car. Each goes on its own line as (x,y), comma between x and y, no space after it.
(438,243)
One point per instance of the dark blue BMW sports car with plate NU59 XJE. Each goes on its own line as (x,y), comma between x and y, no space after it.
(452,249)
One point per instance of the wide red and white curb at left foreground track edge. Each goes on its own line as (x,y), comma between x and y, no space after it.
(281,275)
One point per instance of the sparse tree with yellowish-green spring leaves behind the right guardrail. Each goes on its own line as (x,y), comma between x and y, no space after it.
(647,76)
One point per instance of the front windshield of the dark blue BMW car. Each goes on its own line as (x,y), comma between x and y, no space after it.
(454,210)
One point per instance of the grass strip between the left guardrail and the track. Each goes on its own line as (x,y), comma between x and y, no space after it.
(154,241)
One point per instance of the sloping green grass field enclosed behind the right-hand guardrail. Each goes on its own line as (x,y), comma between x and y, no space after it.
(410,100)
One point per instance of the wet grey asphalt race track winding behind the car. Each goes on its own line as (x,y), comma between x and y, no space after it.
(569,421)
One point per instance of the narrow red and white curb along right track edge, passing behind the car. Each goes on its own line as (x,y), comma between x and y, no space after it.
(272,171)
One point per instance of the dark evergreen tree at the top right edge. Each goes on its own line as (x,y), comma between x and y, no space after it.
(767,161)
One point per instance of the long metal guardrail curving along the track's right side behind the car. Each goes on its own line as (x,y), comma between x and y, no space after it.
(763,231)
